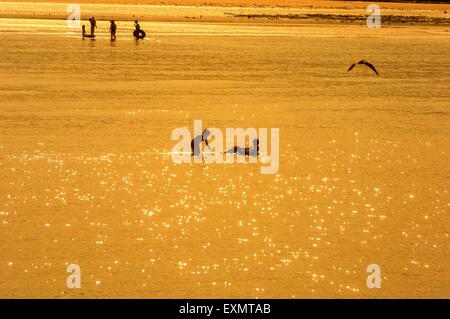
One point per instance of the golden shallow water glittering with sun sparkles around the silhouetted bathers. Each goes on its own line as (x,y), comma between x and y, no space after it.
(87,178)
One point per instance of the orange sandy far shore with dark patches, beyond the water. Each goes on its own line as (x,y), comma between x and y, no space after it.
(334,12)
